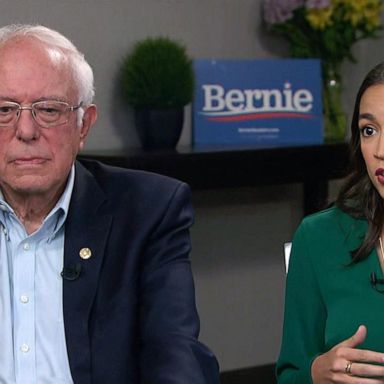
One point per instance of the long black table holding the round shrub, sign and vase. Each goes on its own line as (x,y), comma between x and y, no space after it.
(209,168)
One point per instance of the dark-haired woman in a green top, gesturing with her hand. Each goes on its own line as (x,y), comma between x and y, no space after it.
(334,310)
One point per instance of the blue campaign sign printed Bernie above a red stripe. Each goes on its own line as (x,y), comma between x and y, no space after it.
(257,102)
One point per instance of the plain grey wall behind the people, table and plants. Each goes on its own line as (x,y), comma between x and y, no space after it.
(237,254)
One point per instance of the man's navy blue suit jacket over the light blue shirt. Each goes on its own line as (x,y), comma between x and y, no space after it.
(130,316)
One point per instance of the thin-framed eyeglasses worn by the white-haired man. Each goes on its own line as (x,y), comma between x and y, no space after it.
(46,113)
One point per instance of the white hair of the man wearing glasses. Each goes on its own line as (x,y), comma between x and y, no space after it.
(81,70)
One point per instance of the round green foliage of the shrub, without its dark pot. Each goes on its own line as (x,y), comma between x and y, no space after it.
(158,74)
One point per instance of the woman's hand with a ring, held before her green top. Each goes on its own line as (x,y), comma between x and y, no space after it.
(346,364)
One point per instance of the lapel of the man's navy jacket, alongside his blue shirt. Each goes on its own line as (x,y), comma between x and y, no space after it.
(87,226)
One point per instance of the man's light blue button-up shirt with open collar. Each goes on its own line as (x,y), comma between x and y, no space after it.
(32,339)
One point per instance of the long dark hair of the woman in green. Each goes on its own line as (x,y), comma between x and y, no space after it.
(358,197)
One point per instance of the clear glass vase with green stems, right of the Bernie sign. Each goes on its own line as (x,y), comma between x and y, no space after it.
(335,120)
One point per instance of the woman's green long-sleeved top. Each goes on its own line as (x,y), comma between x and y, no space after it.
(326,298)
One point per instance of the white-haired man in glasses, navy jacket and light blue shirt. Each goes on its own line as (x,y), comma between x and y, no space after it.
(95,281)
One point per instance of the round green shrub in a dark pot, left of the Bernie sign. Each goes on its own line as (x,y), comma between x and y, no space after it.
(158,81)
